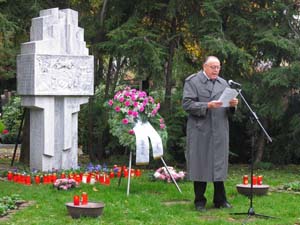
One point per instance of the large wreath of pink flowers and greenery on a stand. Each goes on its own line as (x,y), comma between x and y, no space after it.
(128,106)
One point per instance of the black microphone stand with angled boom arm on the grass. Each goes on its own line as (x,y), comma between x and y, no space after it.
(251,211)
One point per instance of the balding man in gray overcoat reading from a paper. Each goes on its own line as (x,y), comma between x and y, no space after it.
(207,132)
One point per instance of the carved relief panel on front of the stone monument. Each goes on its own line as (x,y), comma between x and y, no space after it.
(64,74)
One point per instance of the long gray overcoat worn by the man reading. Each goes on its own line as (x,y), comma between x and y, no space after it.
(207,129)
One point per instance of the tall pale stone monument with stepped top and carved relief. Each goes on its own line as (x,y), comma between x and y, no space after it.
(55,75)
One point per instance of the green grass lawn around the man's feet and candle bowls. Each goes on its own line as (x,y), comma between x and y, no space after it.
(159,203)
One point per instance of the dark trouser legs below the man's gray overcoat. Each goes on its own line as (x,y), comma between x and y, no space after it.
(219,192)
